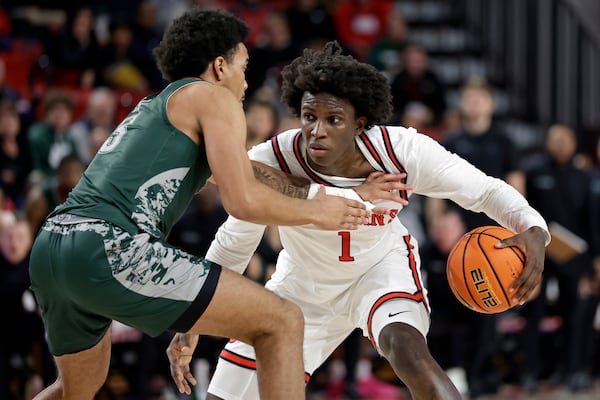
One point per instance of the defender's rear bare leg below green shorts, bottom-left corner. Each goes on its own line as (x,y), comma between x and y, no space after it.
(80,375)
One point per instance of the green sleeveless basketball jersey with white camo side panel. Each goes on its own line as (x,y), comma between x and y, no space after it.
(145,174)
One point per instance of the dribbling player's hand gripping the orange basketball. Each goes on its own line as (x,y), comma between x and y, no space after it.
(532,243)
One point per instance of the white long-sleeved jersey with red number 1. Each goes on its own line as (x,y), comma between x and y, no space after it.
(332,257)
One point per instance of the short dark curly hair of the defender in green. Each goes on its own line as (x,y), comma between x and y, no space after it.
(195,39)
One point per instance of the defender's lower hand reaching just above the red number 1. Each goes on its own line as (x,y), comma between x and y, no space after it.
(338,213)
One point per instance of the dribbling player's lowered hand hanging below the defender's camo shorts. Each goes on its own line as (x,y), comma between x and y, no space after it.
(180,353)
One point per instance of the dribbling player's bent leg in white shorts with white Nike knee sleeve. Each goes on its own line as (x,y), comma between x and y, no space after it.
(393,297)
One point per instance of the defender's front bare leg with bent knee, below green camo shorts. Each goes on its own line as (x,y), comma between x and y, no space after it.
(242,309)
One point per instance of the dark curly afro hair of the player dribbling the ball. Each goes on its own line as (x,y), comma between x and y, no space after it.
(328,71)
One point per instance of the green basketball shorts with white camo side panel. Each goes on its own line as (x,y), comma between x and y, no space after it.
(87,272)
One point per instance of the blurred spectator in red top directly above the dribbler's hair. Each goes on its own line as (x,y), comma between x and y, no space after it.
(360,23)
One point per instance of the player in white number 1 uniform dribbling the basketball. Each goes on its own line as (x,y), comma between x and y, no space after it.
(369,278)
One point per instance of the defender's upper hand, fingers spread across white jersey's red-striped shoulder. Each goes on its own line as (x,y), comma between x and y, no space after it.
(382,186)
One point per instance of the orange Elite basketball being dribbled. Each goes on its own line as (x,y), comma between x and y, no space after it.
(479,274)
